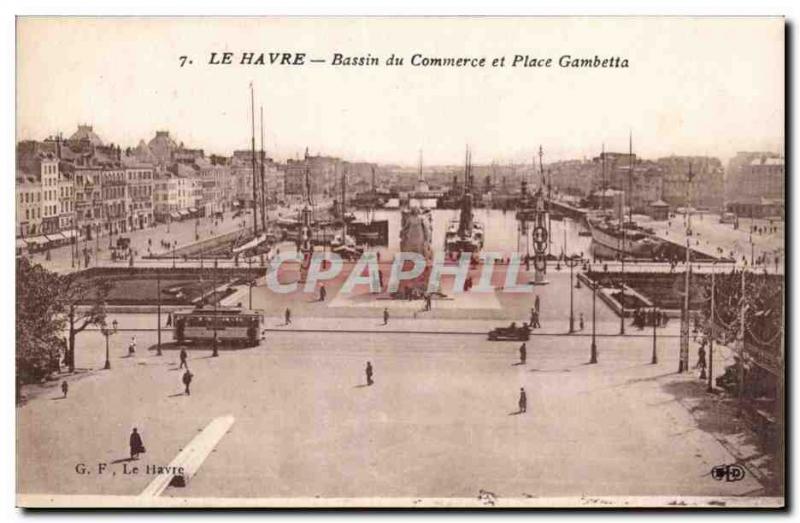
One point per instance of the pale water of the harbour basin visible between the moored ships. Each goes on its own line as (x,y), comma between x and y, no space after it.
(501,232)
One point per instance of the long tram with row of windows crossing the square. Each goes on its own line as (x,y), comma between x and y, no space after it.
(231,325)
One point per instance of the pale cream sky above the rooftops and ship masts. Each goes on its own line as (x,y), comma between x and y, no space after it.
(695,86)
